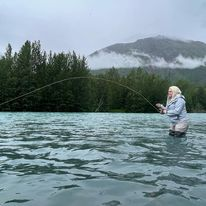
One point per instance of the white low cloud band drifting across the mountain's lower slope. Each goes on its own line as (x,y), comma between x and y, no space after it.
(112,59)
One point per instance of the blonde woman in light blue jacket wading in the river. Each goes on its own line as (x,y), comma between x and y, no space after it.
(176,111)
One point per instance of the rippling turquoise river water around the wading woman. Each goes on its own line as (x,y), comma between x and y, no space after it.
(100,159)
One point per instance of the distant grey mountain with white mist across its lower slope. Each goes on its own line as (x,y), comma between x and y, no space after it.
(159,51)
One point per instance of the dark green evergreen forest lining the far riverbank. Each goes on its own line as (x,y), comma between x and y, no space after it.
(31,68)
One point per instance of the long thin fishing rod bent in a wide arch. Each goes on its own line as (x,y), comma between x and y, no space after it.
(81,77)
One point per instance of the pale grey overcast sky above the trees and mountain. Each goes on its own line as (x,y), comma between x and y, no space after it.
(88,25)
